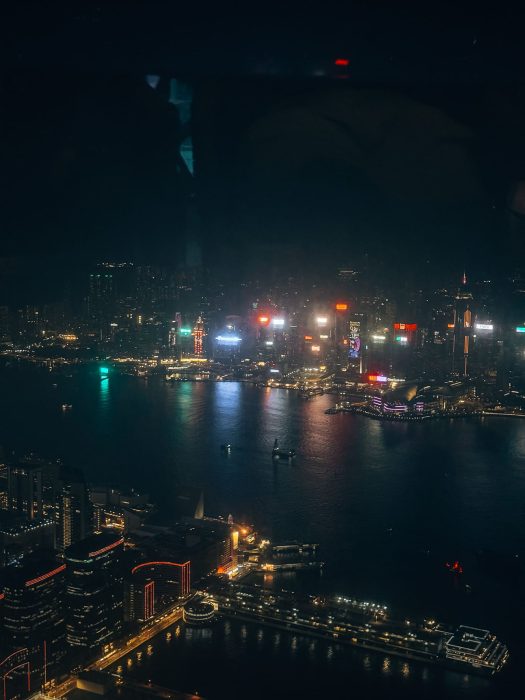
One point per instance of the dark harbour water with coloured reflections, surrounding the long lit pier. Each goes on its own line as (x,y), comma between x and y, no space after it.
(388,503)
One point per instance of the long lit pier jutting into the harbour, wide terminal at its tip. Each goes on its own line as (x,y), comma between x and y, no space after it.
(363,624)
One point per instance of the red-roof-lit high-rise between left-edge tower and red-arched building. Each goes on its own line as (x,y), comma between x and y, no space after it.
(94,594)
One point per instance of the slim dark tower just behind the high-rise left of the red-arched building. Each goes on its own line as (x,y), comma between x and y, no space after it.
(75,510)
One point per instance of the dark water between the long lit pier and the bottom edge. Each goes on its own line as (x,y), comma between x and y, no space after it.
(302,664)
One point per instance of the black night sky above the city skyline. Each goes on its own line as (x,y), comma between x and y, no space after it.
(414,154)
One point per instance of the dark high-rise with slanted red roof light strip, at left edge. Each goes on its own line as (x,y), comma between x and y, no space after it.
(34,607)
